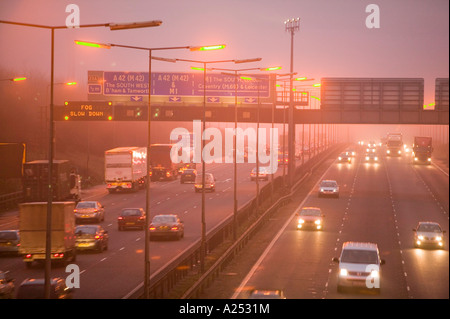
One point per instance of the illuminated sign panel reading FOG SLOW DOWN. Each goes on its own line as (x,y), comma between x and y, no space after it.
(86,111)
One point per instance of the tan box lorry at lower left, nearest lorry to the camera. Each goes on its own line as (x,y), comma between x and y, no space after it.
(33,232)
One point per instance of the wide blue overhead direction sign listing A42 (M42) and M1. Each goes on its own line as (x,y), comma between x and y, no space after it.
(178,84)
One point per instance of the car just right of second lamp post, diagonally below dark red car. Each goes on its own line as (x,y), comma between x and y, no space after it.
(166,225)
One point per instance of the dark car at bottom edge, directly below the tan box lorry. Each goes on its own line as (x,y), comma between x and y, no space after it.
(34,288)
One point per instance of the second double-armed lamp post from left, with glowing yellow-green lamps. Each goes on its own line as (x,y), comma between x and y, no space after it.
(149,116)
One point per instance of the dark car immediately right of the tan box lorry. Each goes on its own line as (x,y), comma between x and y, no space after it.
(91,237)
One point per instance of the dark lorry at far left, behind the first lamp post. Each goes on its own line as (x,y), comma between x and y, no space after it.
(66,184)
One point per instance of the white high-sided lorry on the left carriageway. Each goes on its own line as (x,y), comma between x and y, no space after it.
(125,168)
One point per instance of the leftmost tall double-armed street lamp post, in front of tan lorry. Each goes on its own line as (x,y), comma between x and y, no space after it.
(52,29)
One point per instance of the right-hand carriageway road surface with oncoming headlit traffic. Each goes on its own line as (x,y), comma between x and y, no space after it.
(379,203)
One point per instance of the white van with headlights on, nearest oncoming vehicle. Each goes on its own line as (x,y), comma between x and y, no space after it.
(359,266)
